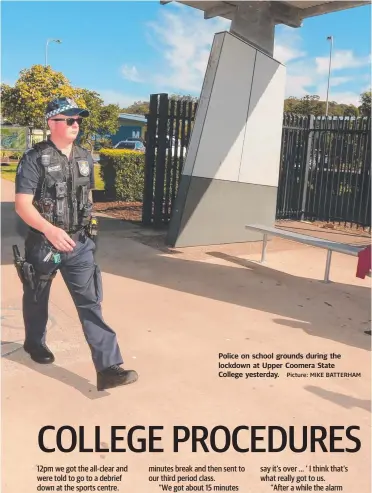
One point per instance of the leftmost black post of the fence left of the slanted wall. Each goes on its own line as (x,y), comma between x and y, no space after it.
(148,189)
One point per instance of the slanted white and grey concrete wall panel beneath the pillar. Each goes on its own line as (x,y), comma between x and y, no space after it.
(230,175)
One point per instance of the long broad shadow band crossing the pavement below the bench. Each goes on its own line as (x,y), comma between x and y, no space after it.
(254,286)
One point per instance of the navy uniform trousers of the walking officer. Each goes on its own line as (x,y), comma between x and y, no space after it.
(83,279)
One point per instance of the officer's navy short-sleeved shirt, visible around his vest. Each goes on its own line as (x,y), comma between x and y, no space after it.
(29,172)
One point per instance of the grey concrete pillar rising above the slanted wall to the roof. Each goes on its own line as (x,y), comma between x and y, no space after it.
(253,22)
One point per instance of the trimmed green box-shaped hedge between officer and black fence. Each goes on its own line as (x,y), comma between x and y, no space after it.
(123,173)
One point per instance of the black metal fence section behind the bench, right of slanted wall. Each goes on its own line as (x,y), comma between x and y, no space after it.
(325,170)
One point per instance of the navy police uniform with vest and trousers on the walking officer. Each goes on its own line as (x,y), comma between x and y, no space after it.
(60,189)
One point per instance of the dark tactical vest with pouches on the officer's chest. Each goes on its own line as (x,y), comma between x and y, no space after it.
(63,198)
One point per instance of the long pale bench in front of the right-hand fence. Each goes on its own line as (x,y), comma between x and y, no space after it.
(330,246)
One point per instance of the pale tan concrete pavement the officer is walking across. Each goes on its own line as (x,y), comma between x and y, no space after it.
(174,313)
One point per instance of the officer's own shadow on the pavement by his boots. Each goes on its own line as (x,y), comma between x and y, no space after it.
(63,375)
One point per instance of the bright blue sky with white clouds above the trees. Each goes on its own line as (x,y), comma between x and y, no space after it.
(126,51)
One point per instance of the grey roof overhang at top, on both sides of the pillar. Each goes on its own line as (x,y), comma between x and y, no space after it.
(290,13)
